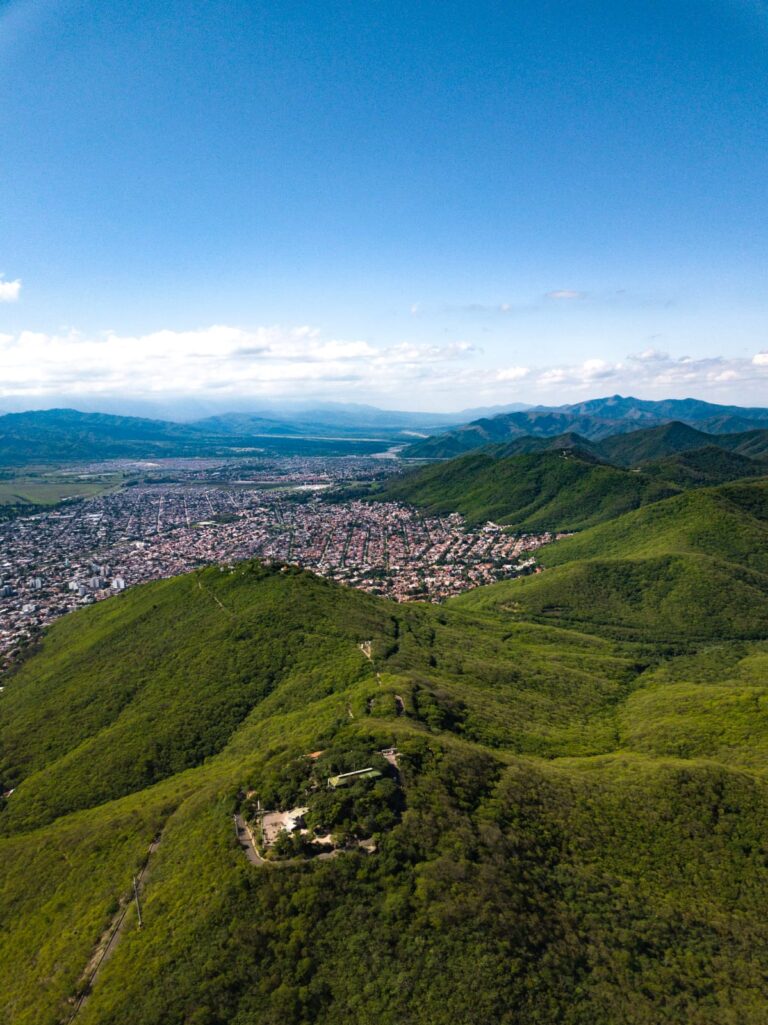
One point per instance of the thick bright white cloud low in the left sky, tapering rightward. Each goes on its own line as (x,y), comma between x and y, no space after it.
(266,361)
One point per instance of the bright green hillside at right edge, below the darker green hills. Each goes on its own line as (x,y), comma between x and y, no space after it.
(694,566)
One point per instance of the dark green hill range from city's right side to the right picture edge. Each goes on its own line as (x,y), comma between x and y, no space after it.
(570,483)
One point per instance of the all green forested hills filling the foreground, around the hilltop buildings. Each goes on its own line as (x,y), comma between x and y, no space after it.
(584,822)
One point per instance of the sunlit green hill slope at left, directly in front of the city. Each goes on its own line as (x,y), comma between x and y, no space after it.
(203,669)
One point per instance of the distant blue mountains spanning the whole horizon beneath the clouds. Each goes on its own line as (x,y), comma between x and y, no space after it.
(64,435)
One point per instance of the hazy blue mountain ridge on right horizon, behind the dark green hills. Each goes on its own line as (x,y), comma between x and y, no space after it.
(595,420)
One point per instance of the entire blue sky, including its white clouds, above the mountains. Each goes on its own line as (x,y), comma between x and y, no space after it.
(428,206)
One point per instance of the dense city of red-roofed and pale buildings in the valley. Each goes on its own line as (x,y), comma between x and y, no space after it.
(179,514)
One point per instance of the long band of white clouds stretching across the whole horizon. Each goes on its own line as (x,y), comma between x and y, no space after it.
(224,364)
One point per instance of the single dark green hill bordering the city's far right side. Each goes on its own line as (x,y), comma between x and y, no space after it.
(562,490)
